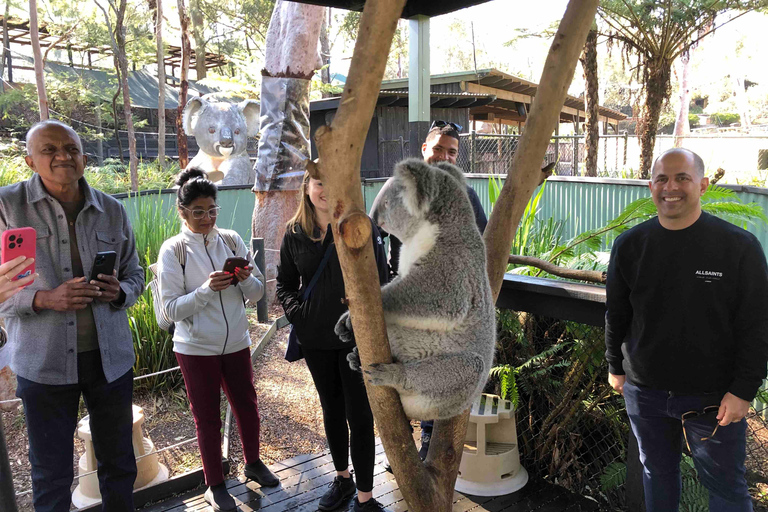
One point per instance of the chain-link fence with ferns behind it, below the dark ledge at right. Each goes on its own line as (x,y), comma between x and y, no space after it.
(573,429)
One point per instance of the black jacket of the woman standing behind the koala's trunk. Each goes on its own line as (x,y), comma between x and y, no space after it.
(315,319)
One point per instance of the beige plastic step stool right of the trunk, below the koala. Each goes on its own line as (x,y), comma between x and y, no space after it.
(490,464)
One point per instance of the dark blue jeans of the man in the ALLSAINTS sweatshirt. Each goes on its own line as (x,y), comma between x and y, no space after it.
(655,417)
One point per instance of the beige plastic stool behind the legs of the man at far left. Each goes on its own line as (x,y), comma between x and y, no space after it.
(150,472)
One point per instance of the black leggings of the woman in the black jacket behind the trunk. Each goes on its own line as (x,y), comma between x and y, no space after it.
(344,401)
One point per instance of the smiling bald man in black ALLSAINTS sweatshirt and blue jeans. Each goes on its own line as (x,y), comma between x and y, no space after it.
(687,337)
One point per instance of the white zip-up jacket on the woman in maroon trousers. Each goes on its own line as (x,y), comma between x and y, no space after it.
(207,322)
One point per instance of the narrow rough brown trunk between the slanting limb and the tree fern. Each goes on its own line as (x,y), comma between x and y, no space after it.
(591,103)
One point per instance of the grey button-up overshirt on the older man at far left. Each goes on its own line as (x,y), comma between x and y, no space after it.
(42,345)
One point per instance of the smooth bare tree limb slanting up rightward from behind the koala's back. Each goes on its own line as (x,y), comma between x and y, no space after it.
(525,169)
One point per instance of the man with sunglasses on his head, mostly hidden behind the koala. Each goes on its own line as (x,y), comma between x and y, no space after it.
(441,145)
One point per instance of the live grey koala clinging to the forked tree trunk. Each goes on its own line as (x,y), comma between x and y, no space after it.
(439,310)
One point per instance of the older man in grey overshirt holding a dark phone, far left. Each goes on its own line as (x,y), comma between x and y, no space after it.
(69,334)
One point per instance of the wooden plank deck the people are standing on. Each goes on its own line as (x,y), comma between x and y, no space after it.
(304,479)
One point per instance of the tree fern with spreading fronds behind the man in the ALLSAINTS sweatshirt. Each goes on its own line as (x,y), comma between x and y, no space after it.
(658,33)
